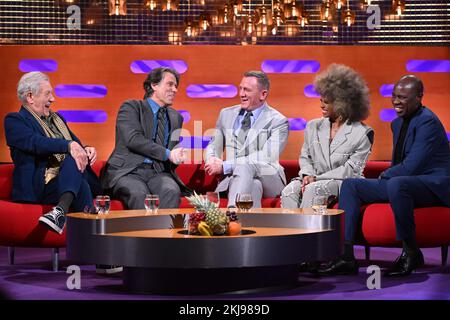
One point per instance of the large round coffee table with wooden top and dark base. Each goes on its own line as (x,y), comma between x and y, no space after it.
(158,258)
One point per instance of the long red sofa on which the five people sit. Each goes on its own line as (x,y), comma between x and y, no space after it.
(19,225)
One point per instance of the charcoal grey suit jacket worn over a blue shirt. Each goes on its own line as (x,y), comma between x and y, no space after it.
(134,141)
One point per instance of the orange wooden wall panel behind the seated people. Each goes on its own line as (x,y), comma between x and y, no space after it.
(110,66)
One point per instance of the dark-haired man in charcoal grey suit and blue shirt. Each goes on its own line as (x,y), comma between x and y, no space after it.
(145,154)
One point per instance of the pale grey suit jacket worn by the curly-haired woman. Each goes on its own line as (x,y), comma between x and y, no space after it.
(345,157)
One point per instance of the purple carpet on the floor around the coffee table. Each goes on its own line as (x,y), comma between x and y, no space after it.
(31,278)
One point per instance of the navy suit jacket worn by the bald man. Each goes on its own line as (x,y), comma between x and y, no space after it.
(426,153)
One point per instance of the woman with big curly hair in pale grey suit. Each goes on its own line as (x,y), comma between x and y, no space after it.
(335,146)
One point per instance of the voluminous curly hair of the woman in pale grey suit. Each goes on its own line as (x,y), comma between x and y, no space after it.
(346,90)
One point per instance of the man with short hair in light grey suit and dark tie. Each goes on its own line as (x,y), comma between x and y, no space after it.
(253,135)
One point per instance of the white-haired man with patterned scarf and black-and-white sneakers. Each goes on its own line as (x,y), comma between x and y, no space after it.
(51,166)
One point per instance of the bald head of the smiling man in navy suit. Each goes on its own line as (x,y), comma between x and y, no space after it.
(407,95)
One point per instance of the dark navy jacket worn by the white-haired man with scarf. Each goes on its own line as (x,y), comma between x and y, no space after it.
(30,150)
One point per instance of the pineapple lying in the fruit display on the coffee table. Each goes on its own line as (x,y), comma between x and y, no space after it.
(216,219)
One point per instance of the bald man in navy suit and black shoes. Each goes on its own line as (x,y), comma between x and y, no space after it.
(419,177)
